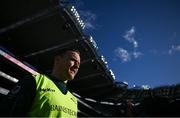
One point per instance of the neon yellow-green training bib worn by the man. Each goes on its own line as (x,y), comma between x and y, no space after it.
(50,101)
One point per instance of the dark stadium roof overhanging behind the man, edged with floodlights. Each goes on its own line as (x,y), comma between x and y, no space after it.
(33,34)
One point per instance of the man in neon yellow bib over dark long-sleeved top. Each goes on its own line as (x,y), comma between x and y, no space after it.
(46,95)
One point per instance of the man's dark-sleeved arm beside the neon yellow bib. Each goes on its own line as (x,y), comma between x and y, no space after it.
(19,100)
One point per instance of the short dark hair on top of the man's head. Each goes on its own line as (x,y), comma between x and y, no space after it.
(61,52)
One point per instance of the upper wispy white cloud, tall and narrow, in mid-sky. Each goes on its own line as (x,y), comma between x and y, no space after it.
(130,36)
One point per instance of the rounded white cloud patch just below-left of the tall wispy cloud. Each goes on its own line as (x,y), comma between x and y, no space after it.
(122,54)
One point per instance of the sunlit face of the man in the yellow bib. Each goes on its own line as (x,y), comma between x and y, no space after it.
(68,65)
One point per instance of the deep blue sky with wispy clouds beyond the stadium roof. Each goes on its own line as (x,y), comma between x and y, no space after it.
(140,39)
